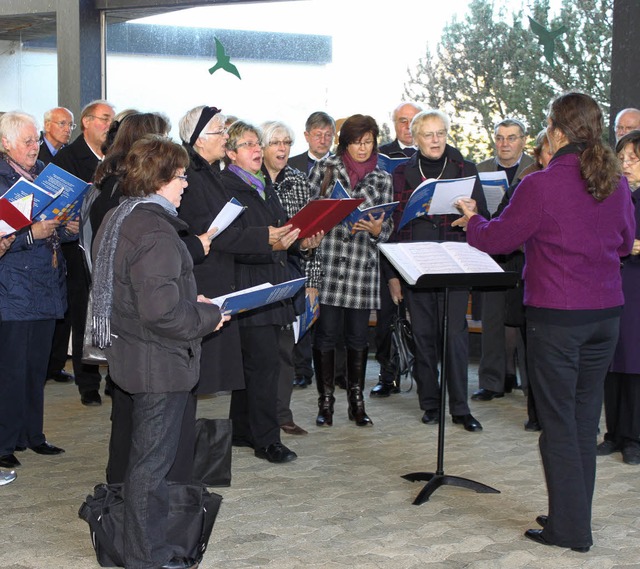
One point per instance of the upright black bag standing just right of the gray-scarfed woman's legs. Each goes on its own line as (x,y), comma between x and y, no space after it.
(212,460)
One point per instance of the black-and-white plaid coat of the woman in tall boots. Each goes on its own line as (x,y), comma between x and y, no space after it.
(350,263)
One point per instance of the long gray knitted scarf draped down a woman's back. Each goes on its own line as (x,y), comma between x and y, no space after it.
(103,267)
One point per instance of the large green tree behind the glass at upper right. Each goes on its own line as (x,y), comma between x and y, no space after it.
(490,65)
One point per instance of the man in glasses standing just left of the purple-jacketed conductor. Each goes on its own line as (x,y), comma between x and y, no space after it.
(496,373)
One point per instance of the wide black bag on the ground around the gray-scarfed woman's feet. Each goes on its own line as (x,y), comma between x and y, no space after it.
(192,513)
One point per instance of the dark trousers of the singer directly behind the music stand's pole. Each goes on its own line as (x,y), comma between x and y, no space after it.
(426,308)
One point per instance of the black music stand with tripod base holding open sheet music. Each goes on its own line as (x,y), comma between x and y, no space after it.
(439,478)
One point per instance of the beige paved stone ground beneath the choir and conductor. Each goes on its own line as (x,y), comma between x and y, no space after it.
(343,503)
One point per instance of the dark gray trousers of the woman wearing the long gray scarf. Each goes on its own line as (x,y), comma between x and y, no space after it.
(155,437)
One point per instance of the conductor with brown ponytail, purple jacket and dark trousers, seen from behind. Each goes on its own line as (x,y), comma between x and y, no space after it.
(576,220)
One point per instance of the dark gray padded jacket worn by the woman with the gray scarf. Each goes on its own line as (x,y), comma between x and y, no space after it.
(156,320)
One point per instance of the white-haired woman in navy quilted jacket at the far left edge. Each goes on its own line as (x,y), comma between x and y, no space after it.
(32,297)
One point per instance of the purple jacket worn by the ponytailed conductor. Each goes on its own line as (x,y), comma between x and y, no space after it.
(573,243)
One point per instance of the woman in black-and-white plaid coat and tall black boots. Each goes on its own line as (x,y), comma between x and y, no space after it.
(349,287)
